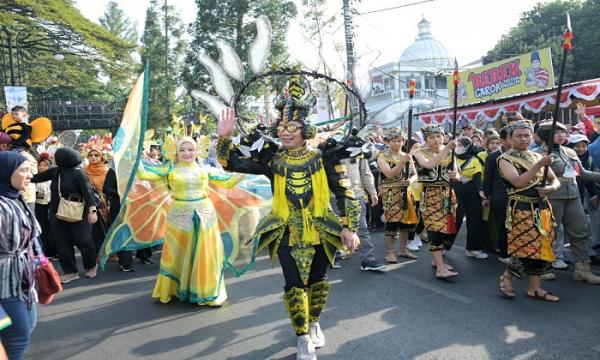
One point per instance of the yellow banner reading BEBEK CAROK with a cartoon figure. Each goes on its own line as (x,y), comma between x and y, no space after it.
(517,75)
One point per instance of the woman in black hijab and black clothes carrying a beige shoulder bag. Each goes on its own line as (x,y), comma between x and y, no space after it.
(74,184)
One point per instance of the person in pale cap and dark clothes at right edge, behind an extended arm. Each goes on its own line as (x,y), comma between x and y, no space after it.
(588,193)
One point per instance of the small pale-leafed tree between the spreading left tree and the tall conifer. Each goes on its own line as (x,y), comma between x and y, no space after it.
(123,72)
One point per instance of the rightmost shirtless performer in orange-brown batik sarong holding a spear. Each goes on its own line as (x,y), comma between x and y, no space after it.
(529,220)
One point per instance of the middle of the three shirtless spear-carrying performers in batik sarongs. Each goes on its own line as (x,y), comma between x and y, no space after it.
(436,169)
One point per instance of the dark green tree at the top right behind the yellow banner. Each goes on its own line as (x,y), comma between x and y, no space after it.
(544,26)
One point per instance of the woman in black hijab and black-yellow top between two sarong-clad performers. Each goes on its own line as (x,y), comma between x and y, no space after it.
(469,194)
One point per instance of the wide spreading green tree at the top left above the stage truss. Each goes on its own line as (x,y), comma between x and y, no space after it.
(39,29)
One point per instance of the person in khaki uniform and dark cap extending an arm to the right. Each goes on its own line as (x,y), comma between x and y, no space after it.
(566,203)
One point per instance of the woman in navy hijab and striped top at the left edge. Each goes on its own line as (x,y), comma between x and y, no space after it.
(18,228)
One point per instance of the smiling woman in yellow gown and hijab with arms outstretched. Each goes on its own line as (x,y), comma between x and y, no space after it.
(193,257)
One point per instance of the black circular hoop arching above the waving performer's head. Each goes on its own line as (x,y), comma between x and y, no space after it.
(362,111)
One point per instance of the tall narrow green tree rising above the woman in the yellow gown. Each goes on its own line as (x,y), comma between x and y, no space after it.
(164,82)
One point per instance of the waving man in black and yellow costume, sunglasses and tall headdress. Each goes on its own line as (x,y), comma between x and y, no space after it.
(302,229)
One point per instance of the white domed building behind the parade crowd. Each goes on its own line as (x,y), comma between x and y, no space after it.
(428,62)
